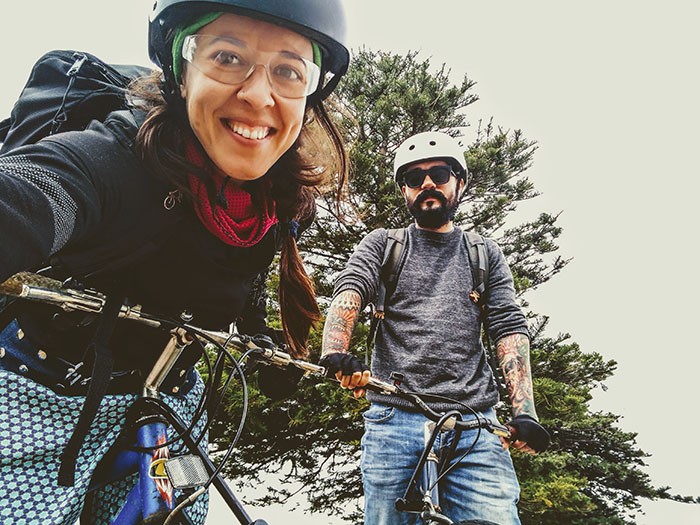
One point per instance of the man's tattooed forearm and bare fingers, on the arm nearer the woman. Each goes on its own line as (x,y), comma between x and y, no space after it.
(341,319)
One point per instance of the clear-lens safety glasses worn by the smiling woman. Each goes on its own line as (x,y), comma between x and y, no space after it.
(230,61)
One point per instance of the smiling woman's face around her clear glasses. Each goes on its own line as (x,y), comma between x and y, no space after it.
(245,128)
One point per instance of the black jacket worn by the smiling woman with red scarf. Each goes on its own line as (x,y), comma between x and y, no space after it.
(85,202)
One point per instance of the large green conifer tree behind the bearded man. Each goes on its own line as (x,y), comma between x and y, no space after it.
(592,474)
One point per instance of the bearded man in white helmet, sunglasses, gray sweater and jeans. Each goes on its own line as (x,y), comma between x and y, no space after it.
(431,334)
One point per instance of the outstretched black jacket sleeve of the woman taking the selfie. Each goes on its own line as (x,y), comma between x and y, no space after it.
(63,189)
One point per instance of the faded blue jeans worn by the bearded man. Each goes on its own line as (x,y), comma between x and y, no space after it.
(483,486)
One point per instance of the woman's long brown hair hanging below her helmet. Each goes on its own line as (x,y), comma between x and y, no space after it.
(294,178)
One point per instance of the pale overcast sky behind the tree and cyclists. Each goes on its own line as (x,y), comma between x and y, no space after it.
(609,91)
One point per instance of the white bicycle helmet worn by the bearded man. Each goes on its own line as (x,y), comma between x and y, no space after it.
(427,146)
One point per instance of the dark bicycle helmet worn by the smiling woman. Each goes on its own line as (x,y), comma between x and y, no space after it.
(322,21)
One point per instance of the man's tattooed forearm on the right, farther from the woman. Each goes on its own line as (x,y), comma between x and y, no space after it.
(514,358)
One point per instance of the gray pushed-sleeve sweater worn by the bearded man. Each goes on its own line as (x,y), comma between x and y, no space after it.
(431,330)
